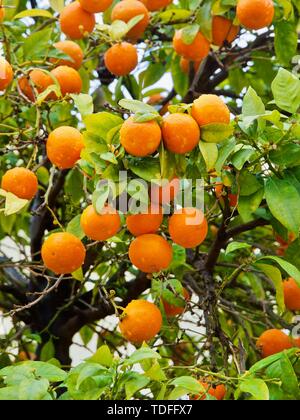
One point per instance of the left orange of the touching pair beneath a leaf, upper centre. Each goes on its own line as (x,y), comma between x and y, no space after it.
(140,139)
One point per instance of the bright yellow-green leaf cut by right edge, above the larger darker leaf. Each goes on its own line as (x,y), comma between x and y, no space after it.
(286,91)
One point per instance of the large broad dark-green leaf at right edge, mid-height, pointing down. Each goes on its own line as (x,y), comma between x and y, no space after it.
(284,203)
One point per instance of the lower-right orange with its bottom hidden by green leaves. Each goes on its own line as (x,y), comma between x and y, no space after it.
(272,342)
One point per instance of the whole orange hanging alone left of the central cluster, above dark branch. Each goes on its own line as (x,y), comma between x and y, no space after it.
(64,146)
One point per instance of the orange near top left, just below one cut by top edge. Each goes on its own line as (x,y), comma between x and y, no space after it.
(75,22)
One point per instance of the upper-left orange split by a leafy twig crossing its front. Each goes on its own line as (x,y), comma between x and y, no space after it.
(39,79)
